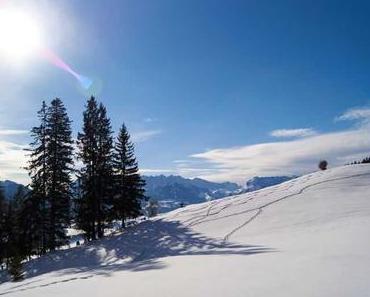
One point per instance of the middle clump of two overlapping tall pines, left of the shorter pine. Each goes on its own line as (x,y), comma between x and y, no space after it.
(95,151)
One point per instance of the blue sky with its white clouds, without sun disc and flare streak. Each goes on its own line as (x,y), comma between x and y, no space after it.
(203,85)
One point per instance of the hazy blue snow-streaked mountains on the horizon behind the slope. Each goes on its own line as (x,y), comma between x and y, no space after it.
(173,191)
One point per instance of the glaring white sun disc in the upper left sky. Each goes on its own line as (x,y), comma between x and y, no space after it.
(20,34)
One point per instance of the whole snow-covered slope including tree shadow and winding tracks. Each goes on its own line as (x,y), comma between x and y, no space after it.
(306,237)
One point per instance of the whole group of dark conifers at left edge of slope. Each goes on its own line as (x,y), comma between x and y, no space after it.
(110,188)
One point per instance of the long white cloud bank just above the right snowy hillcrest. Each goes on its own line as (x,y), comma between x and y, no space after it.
(287,157)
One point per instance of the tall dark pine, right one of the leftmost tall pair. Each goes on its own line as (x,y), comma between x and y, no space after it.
(59,167)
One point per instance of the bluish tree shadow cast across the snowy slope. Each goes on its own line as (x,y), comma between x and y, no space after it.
(137,249)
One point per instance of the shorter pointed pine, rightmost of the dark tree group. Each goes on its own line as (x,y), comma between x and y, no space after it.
(129,186)
